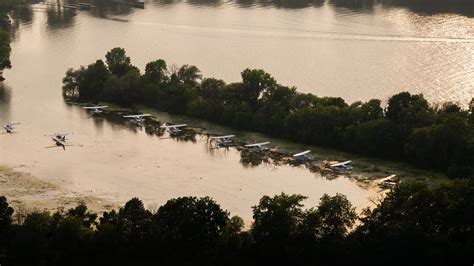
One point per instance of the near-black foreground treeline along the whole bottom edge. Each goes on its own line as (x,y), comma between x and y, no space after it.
(413,223)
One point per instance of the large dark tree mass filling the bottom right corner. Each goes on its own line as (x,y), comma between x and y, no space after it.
(433,224)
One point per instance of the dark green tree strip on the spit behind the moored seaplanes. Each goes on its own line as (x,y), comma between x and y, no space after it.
(409,128)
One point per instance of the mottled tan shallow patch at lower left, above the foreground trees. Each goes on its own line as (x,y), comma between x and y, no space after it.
(26,193)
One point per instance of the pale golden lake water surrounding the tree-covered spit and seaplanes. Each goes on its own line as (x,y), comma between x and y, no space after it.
(329,49)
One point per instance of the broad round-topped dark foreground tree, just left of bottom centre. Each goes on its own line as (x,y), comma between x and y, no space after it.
(188,229)
